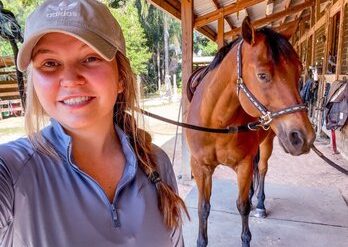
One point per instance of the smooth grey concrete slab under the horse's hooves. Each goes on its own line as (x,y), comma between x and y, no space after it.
(297,217)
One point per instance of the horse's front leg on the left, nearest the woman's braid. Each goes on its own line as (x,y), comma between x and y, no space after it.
(203,178)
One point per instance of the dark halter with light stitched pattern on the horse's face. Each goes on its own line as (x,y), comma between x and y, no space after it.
(266,116)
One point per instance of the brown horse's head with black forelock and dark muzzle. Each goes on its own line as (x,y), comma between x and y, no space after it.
(271,71)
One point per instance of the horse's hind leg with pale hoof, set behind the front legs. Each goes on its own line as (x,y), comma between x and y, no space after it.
(266,148)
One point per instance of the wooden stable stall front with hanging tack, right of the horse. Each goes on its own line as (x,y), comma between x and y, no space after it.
(323,45)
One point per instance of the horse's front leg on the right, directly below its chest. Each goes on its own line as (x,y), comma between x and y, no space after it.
(244,173)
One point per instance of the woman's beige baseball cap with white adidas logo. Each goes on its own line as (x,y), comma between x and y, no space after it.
(87,20)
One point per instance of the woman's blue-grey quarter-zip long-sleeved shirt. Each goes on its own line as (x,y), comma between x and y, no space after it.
(46,202)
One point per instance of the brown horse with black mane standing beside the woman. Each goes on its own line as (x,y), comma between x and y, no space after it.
(254,77)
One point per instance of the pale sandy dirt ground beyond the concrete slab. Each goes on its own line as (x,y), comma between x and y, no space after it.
(306,170)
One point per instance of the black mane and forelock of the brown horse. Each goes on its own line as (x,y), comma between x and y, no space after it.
(278,46)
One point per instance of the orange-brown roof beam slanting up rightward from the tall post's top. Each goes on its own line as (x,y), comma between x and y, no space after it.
(222,12)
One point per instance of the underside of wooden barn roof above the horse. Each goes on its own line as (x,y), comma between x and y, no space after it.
(274,13)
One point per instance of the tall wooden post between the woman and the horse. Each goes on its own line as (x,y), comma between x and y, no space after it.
(187,59)
